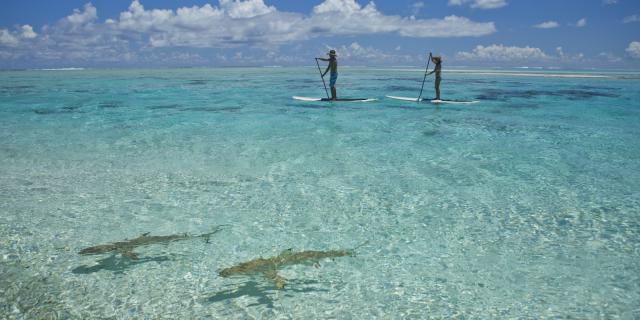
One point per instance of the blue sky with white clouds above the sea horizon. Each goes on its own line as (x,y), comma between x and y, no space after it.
(571,34)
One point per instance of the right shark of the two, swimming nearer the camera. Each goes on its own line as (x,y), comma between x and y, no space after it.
(268,267)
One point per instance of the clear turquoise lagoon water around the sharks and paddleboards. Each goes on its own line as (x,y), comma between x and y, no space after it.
(523,205)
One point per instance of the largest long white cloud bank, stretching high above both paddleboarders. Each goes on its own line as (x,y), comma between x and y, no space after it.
(251,22)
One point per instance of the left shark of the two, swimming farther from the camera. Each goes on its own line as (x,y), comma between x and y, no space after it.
(125,248)
